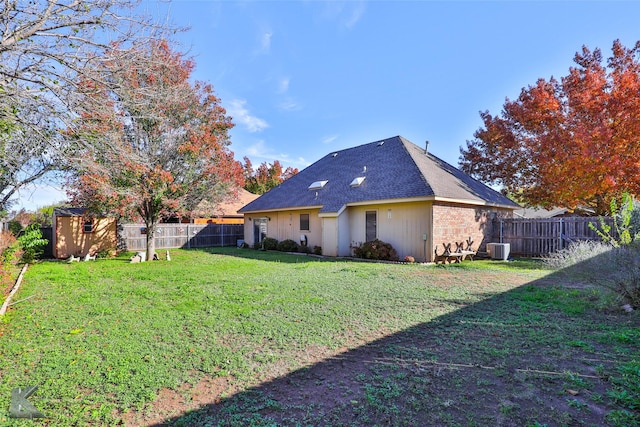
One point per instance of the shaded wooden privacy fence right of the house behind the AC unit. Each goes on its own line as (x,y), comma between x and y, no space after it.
(538,237)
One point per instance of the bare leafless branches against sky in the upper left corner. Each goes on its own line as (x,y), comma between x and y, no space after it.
(46,48)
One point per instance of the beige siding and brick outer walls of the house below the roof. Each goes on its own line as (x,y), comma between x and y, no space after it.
(401,224)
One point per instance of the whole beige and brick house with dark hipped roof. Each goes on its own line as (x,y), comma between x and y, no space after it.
(390,189)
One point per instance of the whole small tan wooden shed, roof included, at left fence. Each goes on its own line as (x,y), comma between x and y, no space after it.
(76,233)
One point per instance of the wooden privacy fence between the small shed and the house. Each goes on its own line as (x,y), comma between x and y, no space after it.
(133,237)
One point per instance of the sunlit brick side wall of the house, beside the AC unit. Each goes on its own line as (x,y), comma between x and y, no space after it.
(456,223)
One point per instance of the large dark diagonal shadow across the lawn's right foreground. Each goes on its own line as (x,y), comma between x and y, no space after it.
(540,354)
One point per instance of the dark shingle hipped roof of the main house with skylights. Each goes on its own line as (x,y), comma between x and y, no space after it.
(395,169)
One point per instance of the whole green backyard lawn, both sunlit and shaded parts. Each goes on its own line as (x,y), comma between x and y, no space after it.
(291,340)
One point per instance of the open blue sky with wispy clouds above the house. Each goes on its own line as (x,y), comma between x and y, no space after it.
(304,78)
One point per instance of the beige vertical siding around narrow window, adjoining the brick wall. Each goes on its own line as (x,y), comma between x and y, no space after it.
(401,224)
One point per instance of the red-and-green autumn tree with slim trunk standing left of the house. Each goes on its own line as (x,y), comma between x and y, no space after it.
(154,144)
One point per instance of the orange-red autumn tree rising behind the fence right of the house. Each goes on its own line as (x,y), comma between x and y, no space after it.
(573,142)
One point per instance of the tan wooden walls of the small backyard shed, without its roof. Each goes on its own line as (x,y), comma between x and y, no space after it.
(72,240)
